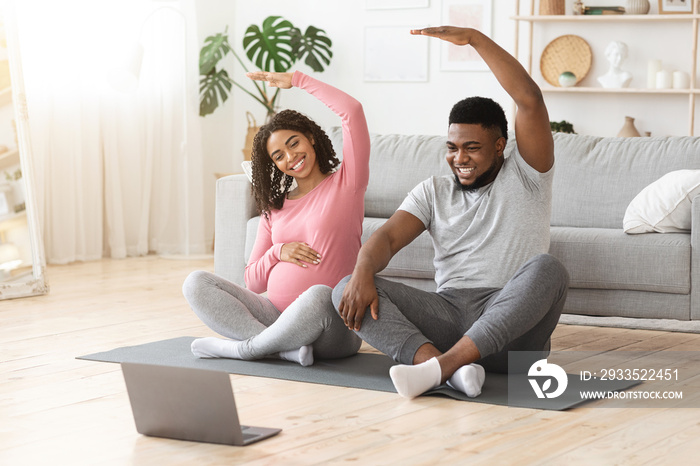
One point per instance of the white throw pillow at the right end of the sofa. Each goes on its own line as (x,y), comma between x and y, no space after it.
(664,205)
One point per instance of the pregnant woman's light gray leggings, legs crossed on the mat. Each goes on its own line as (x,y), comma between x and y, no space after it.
(238,313)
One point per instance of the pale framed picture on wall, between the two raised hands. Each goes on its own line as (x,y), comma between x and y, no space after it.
(405,61)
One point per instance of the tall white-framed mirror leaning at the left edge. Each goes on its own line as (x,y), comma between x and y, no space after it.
(22,261)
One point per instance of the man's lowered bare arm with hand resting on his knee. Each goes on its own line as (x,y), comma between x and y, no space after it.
(360,292)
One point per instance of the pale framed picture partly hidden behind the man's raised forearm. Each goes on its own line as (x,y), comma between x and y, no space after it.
(464,13)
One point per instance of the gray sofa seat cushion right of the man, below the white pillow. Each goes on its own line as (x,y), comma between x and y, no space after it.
(600,258)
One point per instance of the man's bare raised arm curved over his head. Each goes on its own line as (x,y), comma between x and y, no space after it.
(532,130)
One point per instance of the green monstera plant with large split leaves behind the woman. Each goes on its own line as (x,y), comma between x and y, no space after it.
(276,46)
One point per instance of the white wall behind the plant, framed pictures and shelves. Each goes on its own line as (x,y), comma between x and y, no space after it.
(422,108)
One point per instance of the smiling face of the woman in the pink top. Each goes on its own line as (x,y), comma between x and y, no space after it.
(292,152)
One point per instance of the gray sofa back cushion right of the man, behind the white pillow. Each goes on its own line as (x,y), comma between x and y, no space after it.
(596,178)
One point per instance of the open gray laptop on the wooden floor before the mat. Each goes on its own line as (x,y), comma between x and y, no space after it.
(187,404)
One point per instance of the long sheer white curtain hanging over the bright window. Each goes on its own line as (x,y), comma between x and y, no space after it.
(118,173)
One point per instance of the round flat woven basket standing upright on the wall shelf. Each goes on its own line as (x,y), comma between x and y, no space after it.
(565,53)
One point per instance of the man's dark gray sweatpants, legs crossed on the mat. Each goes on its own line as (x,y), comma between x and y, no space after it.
(519,317)
